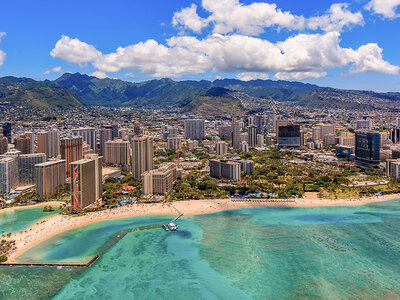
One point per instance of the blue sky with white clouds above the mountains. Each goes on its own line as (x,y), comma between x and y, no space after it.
(328,43)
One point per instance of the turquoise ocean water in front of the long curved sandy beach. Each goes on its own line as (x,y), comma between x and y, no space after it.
(251,253)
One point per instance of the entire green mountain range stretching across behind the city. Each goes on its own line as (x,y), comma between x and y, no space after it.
(75,89)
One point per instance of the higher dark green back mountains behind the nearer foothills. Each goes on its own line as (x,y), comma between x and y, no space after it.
(169,93)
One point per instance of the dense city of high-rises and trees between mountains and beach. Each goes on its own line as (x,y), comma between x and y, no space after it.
(100,157)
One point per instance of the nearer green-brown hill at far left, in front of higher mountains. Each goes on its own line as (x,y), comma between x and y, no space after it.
(37,94)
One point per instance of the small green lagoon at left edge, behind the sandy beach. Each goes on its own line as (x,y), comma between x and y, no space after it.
(19,219)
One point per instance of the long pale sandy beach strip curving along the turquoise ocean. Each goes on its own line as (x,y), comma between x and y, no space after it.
(57,224)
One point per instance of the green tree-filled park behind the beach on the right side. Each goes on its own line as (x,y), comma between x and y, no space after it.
(276,173)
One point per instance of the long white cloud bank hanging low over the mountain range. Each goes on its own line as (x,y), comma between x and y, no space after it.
(298,57)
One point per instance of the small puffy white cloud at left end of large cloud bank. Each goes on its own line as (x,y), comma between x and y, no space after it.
(73,50)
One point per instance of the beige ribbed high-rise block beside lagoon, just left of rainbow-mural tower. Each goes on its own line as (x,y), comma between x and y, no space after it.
(50,178)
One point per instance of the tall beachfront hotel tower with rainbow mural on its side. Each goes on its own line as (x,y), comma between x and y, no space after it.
(86,181)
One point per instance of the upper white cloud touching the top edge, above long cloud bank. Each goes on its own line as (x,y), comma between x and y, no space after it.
(231,16)
